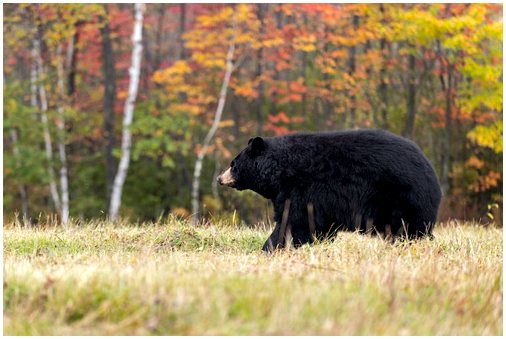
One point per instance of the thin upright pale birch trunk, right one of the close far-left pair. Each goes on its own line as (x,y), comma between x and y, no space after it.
(61,142)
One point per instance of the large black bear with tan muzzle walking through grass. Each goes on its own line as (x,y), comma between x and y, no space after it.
(320,183)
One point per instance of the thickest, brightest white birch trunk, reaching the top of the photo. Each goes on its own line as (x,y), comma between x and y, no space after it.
(126,141)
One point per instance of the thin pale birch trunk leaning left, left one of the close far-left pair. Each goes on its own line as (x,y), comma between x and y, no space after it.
(36,54)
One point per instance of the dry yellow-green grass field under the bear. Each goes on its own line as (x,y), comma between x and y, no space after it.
(171,278)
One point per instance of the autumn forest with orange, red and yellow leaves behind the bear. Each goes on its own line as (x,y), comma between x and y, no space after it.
(131,111)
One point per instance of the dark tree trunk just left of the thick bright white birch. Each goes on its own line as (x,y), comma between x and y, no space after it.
(109,72)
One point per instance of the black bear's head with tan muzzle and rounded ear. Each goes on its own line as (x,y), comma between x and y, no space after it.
(254,168)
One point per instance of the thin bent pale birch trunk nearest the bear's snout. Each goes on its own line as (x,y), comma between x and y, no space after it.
(217,118)
